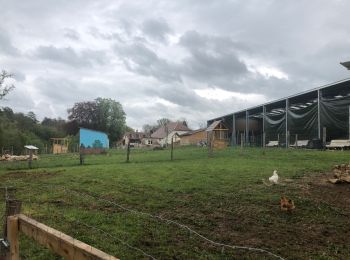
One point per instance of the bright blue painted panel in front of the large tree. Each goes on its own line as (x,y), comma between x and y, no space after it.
(93,139)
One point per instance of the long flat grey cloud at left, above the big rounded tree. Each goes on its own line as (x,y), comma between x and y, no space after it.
(69,56)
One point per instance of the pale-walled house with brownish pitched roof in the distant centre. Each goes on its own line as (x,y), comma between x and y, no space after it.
(164,134)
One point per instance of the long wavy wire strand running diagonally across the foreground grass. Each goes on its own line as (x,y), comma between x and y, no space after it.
(168,221)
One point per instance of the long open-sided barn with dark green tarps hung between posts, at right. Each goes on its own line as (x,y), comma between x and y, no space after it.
(321,114)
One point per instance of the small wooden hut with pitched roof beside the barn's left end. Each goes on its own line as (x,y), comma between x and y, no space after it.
(217,134)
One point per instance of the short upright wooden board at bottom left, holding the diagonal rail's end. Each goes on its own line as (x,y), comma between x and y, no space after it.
(12,236)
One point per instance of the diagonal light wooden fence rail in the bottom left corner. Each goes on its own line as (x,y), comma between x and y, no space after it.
(59,242)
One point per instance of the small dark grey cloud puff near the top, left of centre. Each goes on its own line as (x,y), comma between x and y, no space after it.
(157,29)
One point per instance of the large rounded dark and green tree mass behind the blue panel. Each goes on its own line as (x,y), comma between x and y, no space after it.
(102,114)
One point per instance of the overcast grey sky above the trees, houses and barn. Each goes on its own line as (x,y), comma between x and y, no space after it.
(176,59)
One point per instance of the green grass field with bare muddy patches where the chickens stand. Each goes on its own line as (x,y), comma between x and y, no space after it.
(222,198)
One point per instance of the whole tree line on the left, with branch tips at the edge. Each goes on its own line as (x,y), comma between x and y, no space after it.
(19,129)
